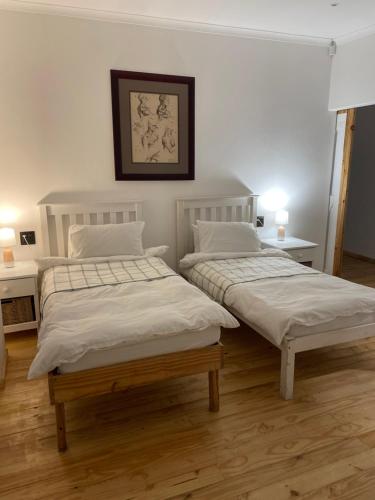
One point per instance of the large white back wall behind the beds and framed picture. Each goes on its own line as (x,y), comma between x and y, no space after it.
(261,118)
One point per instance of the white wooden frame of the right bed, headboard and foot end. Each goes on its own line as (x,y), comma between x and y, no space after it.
(243,208)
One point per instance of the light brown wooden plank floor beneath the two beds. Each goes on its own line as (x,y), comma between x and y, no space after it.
(160,442)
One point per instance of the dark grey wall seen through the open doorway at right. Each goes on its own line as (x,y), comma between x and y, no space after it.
(360,215)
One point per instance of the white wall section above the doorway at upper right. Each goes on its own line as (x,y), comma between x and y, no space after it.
(353,74)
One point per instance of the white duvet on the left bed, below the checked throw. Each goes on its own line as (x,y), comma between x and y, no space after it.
(76,322)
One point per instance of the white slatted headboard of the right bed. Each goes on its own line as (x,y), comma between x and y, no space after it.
(227,208)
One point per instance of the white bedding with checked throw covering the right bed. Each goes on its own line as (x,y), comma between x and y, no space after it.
(276,304)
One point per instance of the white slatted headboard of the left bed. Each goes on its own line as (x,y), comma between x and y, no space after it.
(56,220)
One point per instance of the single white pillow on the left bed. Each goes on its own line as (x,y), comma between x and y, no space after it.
(103,240)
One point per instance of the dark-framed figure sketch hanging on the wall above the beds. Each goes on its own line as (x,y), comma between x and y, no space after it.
(153,126)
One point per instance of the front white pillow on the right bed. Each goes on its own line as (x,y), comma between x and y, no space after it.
(227,237)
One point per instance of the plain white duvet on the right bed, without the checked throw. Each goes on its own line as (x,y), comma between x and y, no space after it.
(276,306)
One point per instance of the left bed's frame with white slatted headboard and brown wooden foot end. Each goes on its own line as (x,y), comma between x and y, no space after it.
(107,379)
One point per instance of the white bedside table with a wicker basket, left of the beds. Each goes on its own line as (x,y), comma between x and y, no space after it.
(19,297)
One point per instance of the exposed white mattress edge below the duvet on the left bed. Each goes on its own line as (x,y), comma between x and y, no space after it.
(183,341)
